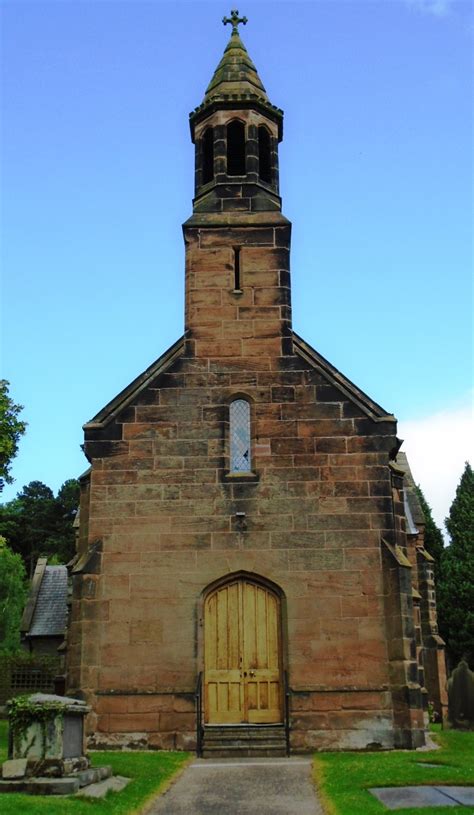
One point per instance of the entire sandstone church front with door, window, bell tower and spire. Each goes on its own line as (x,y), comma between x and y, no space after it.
(243,556)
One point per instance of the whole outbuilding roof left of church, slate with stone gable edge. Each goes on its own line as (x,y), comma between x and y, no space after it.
(45,613)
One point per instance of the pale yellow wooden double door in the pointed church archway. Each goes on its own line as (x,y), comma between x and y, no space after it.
(242,655)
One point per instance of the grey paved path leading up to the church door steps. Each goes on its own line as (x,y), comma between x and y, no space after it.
(243,786)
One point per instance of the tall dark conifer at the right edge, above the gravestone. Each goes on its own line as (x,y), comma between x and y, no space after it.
(456,578)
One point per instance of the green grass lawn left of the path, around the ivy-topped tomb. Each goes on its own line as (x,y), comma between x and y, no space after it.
(149,773)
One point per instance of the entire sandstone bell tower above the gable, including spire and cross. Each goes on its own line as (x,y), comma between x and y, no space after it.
(237,240)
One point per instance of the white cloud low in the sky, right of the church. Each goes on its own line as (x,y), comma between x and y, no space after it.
(437,447)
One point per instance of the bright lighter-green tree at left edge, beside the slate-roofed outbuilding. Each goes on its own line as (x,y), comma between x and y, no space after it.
(12,597)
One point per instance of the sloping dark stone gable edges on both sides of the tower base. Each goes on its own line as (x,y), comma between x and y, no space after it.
(300,347)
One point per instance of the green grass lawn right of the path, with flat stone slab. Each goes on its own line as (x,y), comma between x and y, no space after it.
(343,778)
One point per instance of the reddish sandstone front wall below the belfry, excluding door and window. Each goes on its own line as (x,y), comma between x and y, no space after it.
(164,508)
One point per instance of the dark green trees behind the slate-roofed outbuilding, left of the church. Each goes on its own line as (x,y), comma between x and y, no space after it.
(37,524)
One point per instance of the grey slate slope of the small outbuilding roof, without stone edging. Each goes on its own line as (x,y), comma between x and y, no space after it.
(50,614)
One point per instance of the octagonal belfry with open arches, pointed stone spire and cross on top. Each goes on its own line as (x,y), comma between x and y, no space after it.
(236,131)
